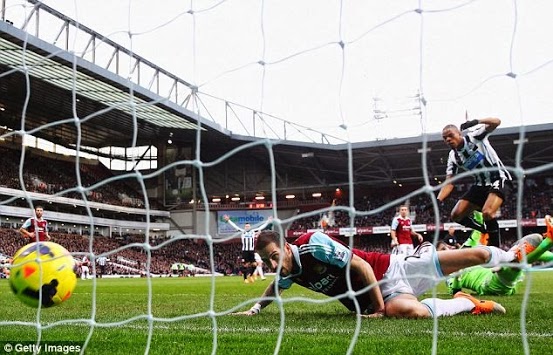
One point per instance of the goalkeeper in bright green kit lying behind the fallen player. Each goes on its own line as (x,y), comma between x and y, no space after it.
(504,280)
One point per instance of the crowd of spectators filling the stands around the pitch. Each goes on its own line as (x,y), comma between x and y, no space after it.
(129,253)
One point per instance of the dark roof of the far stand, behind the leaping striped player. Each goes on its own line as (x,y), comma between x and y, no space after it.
(379,163)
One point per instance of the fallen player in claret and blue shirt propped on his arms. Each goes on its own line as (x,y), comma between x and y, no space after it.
(384,284)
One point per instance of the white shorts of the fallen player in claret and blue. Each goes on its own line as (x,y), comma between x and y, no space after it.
(413,274)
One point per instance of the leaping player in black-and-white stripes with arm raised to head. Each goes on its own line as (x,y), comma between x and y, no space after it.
(492,181)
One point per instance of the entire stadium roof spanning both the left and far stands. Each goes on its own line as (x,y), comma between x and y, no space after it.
(103,100)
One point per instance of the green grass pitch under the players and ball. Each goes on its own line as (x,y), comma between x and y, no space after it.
(183,324)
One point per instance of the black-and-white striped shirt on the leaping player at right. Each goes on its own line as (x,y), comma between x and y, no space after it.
(478,153)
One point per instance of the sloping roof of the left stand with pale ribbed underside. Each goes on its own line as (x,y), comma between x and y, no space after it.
(102,99)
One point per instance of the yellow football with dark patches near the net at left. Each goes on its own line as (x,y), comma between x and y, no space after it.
(43,273)
